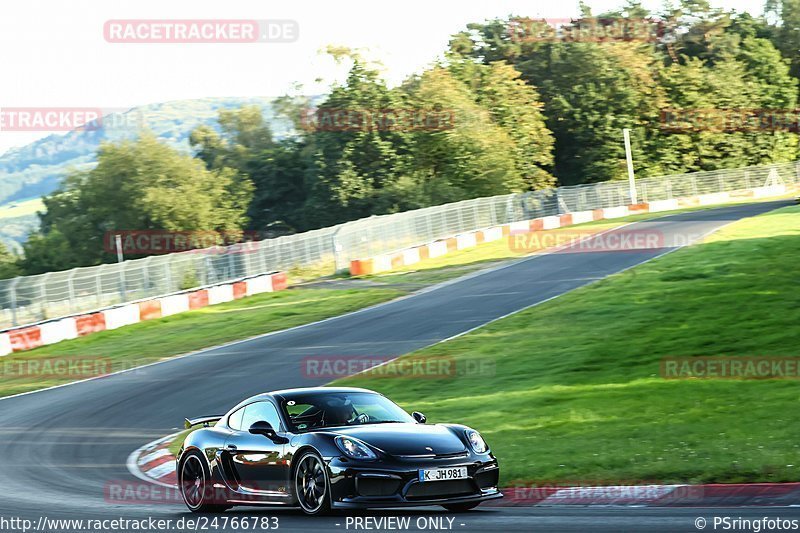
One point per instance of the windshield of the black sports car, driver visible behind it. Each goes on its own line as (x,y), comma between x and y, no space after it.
(316,410)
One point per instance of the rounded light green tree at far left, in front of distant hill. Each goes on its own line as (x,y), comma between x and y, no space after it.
(136,185)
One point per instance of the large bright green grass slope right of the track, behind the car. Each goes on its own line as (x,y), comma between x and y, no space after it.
(574,393)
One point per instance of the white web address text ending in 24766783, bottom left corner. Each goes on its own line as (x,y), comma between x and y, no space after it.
(189,523)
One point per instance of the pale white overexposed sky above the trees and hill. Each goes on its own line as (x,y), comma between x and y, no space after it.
(54,54)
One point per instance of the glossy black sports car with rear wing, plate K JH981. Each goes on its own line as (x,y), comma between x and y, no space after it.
(324,448)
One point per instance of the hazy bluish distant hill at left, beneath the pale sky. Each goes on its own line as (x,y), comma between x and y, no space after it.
(37,169)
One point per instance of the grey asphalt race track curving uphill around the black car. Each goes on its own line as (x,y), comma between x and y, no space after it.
(61,448)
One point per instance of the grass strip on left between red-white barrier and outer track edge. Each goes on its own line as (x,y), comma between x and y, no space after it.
(158,339)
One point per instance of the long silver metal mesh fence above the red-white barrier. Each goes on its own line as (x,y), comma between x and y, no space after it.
(29,299)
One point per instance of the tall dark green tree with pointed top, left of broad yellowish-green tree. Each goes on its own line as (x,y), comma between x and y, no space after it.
(356,159)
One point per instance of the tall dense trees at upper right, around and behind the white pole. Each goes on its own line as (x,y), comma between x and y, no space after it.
(592,90)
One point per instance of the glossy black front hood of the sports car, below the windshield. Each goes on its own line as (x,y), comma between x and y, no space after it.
(407,439)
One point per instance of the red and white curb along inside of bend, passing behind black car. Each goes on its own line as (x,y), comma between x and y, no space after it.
(154,463)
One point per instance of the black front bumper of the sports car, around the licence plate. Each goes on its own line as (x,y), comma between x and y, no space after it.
(394,482)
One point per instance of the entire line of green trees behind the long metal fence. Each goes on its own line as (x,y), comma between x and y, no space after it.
(514,112)
